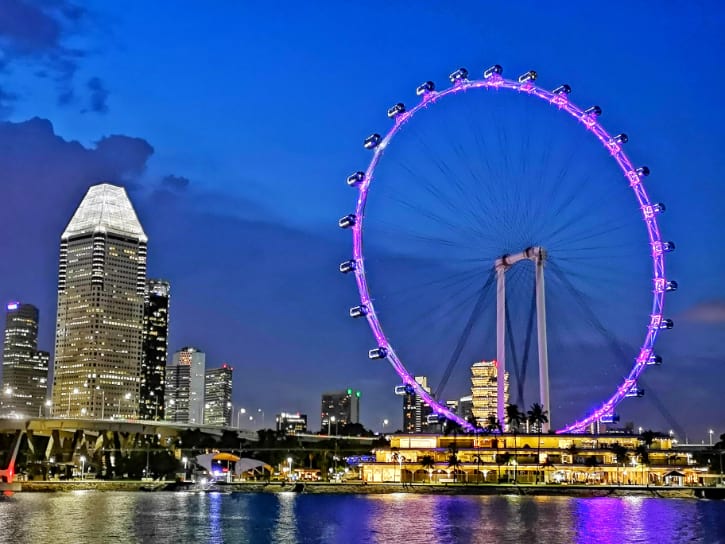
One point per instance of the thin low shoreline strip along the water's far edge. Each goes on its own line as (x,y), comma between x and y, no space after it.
(358,488)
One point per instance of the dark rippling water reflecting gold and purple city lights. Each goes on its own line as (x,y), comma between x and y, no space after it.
(84,517)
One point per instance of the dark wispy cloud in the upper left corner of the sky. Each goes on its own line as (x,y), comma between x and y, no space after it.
(35,33)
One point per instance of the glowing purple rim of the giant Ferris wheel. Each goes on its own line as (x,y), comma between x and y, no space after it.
(648,211)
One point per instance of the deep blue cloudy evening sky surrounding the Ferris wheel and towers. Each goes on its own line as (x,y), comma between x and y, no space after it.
(233,129)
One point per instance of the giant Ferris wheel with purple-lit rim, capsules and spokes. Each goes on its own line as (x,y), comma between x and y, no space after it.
(473,187)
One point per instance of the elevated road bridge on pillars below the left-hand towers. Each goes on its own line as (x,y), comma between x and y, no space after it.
(62,439)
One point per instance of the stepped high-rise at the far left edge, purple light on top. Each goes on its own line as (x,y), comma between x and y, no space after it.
(25,369)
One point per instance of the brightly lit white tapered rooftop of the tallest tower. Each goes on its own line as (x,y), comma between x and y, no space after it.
(105,208)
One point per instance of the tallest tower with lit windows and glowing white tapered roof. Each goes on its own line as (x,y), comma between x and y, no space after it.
(101,287)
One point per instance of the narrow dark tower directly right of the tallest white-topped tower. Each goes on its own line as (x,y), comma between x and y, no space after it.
(155,349)
